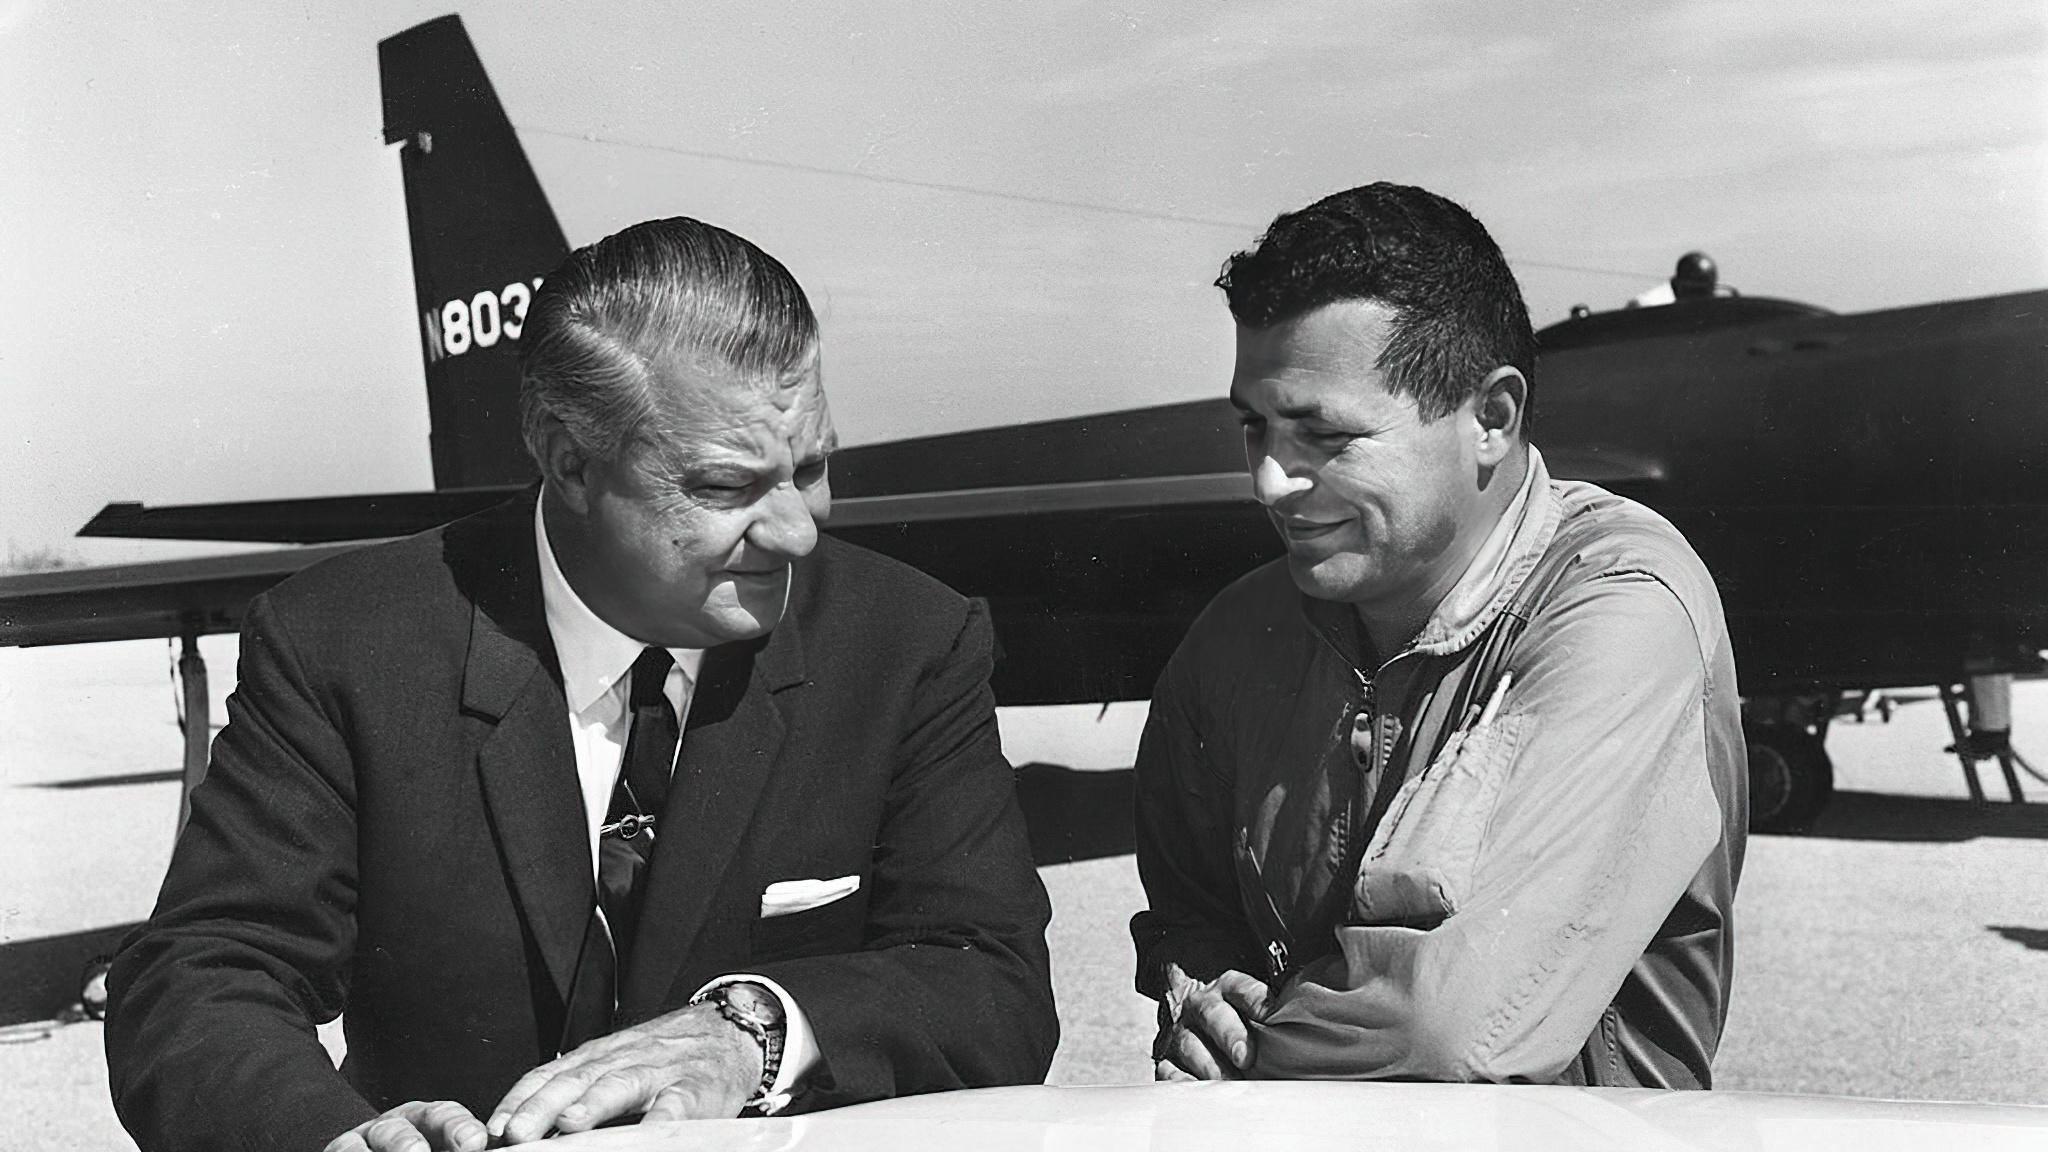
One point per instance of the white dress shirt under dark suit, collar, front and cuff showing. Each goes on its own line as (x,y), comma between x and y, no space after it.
(597,677)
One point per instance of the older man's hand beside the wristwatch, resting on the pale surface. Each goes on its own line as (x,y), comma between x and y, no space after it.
(689,1065)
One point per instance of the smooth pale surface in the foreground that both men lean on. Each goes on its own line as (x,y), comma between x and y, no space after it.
(1252,1116)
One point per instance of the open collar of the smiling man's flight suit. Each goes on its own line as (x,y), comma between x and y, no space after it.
(1484,591)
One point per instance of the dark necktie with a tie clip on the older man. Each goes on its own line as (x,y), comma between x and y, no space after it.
(626,846)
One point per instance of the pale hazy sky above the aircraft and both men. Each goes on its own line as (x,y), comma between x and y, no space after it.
(206,288)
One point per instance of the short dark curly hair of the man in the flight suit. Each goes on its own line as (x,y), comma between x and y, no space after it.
(1457,308)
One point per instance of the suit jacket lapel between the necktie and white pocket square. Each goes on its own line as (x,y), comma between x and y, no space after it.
(728,753)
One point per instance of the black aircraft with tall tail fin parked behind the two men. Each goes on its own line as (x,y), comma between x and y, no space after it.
(1869,491)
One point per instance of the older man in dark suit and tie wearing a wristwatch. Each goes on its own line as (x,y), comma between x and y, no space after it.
(634,796)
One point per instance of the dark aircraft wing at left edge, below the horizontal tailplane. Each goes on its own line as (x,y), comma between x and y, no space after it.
(140,602)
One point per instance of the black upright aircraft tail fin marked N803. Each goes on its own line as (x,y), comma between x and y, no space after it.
(482,239)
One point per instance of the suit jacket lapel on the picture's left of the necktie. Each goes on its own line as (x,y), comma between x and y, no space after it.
(527,764)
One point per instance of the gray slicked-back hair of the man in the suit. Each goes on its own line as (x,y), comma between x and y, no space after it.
(669,286)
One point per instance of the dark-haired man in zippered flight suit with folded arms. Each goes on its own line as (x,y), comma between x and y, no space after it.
(1457,788)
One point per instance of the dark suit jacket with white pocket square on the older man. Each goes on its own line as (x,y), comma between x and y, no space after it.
(392,825)
